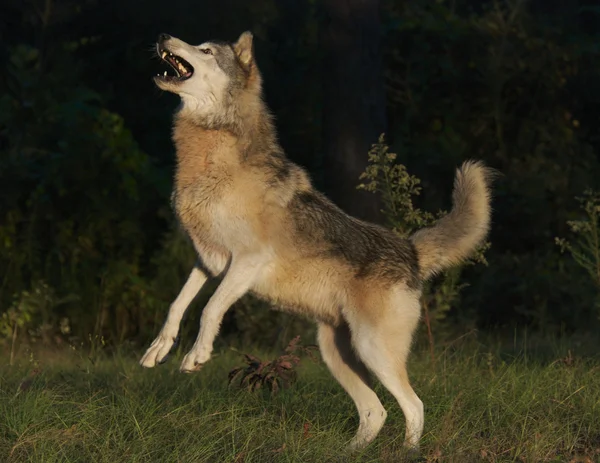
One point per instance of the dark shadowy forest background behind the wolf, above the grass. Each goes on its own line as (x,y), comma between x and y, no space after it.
(88,244)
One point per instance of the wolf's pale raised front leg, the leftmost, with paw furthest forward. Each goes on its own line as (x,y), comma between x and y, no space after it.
(161,346)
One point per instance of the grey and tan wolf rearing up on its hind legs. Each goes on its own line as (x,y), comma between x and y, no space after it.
(256,220)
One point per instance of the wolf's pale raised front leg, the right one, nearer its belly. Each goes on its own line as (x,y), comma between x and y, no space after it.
(242,272)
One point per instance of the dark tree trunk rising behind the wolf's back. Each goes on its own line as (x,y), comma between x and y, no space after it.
(354,100)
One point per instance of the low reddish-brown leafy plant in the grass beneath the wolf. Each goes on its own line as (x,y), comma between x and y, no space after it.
(274,375)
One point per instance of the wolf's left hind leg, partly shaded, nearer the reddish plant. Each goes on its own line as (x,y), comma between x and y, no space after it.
(351,373)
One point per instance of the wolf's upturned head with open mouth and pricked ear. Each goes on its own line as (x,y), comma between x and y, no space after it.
(210,77)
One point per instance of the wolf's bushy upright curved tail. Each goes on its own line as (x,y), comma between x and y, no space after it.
(455,236)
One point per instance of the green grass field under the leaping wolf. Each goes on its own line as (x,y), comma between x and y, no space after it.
(481,404)
